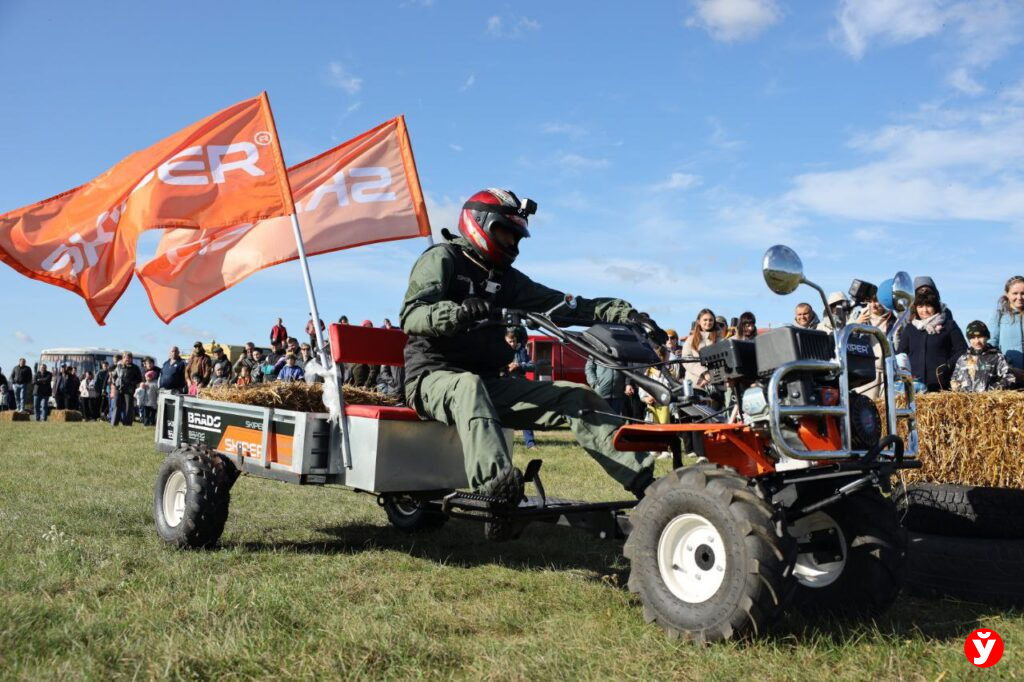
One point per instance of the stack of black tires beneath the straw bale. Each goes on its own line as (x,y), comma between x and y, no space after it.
(966,542)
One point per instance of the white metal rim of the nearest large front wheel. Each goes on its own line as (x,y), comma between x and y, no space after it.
(692,559)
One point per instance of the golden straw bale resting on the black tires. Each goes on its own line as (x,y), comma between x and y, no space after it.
(971,439)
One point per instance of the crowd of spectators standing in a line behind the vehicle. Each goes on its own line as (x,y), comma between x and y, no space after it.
(941,356)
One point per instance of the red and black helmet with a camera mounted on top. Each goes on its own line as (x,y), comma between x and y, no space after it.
(496,208)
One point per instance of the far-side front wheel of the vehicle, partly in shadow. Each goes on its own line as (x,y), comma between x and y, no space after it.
(851,557)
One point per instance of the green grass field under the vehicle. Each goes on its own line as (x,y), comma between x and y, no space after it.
(312,583)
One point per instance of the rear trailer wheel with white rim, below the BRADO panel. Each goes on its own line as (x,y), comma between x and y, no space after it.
(192,497)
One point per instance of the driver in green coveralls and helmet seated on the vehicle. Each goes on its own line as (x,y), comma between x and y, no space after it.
(453,365)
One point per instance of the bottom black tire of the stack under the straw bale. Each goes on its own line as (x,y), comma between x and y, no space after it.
(991,572)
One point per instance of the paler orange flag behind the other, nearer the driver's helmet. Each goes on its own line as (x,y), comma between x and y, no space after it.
(363,192)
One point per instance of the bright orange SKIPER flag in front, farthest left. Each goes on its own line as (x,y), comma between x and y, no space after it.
(224,170)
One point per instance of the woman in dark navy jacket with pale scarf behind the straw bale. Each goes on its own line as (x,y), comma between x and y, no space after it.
(933,343)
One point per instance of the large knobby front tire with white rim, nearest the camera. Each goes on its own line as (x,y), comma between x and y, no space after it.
(710,558)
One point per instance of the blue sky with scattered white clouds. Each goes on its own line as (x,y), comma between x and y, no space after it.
(668,145)
